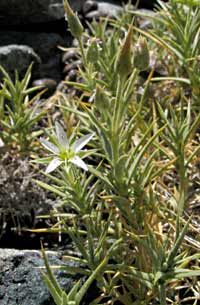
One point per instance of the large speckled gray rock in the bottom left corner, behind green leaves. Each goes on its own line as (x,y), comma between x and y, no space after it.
(21,282)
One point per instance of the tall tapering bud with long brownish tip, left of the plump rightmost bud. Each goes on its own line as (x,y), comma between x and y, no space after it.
(123,61)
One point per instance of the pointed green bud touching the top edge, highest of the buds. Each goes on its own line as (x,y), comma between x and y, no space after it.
(74,23)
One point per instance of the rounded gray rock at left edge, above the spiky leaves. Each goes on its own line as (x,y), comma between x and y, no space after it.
(17,57)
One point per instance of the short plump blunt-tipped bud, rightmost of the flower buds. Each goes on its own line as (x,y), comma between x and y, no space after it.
(141,55)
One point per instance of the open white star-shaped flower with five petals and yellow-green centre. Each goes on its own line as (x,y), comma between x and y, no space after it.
(63,152)
